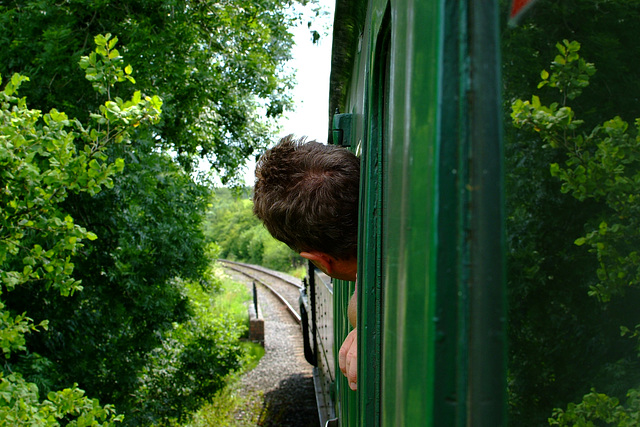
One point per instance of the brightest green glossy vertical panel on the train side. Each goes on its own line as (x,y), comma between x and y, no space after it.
(410,241)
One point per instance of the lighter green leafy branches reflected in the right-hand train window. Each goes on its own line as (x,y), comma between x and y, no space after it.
(600,167)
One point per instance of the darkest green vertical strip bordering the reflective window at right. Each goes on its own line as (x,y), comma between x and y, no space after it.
(487,301)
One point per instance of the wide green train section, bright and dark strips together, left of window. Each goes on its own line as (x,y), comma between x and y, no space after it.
(443,340)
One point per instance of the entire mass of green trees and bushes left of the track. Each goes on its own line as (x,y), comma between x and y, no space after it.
(110,306)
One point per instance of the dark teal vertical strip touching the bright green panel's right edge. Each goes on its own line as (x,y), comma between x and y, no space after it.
(451,317)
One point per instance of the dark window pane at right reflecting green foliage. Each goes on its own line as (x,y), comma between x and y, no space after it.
(570,168)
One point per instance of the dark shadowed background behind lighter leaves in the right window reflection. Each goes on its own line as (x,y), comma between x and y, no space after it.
(549,277)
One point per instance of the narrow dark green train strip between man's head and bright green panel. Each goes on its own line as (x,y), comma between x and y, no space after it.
(372,215)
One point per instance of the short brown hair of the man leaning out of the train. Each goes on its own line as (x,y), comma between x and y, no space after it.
(306,194)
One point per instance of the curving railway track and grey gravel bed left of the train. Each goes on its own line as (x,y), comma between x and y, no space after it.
(282,382)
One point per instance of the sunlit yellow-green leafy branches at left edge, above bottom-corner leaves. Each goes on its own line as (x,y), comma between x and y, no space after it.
(41,165)
